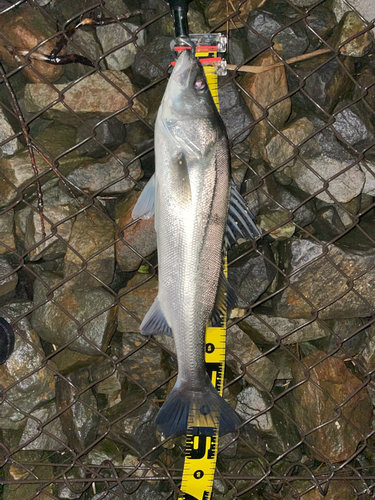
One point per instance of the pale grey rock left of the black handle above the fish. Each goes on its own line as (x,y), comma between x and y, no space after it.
(125,35)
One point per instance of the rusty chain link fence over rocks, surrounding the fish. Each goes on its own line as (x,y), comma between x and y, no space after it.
(80,86)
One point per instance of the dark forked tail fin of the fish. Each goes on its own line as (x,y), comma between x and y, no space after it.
(172,419)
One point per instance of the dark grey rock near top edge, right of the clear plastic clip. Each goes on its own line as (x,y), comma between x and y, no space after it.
(290,41)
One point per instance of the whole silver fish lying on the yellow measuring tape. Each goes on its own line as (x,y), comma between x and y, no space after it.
(198,212)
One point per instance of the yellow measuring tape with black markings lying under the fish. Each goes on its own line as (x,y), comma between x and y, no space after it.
(202,441)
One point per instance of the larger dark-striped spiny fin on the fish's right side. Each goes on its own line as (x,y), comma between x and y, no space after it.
(241,222)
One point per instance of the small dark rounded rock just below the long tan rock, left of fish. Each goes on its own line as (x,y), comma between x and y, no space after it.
(111,134)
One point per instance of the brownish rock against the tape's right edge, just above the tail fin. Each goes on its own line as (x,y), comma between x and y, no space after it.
(258,372)
